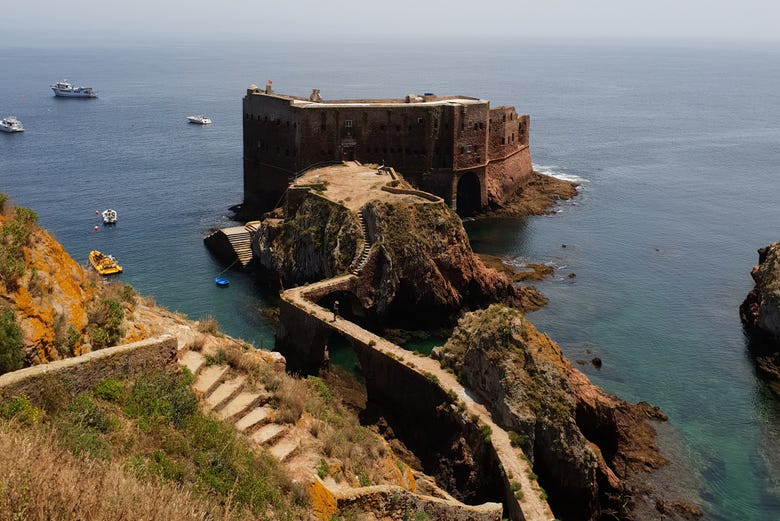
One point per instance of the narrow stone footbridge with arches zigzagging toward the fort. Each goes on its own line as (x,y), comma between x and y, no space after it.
(437,411)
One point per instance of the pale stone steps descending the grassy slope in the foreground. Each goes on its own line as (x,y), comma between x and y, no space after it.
(225,395)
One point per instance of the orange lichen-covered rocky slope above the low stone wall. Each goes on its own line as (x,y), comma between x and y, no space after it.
(63,309)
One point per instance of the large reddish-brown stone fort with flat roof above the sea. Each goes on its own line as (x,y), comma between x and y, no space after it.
(456,147)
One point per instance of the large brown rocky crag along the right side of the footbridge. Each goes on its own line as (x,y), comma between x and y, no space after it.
(586,445)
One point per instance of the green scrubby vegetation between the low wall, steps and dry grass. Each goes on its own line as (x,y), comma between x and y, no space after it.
(152,428)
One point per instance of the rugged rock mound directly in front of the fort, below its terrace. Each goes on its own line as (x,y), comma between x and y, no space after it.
(420,258)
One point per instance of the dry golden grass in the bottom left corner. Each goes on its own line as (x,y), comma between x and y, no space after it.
(41,481)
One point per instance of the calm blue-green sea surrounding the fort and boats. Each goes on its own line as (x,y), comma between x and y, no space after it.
(677,148)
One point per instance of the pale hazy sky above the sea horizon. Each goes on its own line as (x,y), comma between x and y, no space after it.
(220,19)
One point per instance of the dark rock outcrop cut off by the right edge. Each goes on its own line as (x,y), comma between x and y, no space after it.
(760,314)
